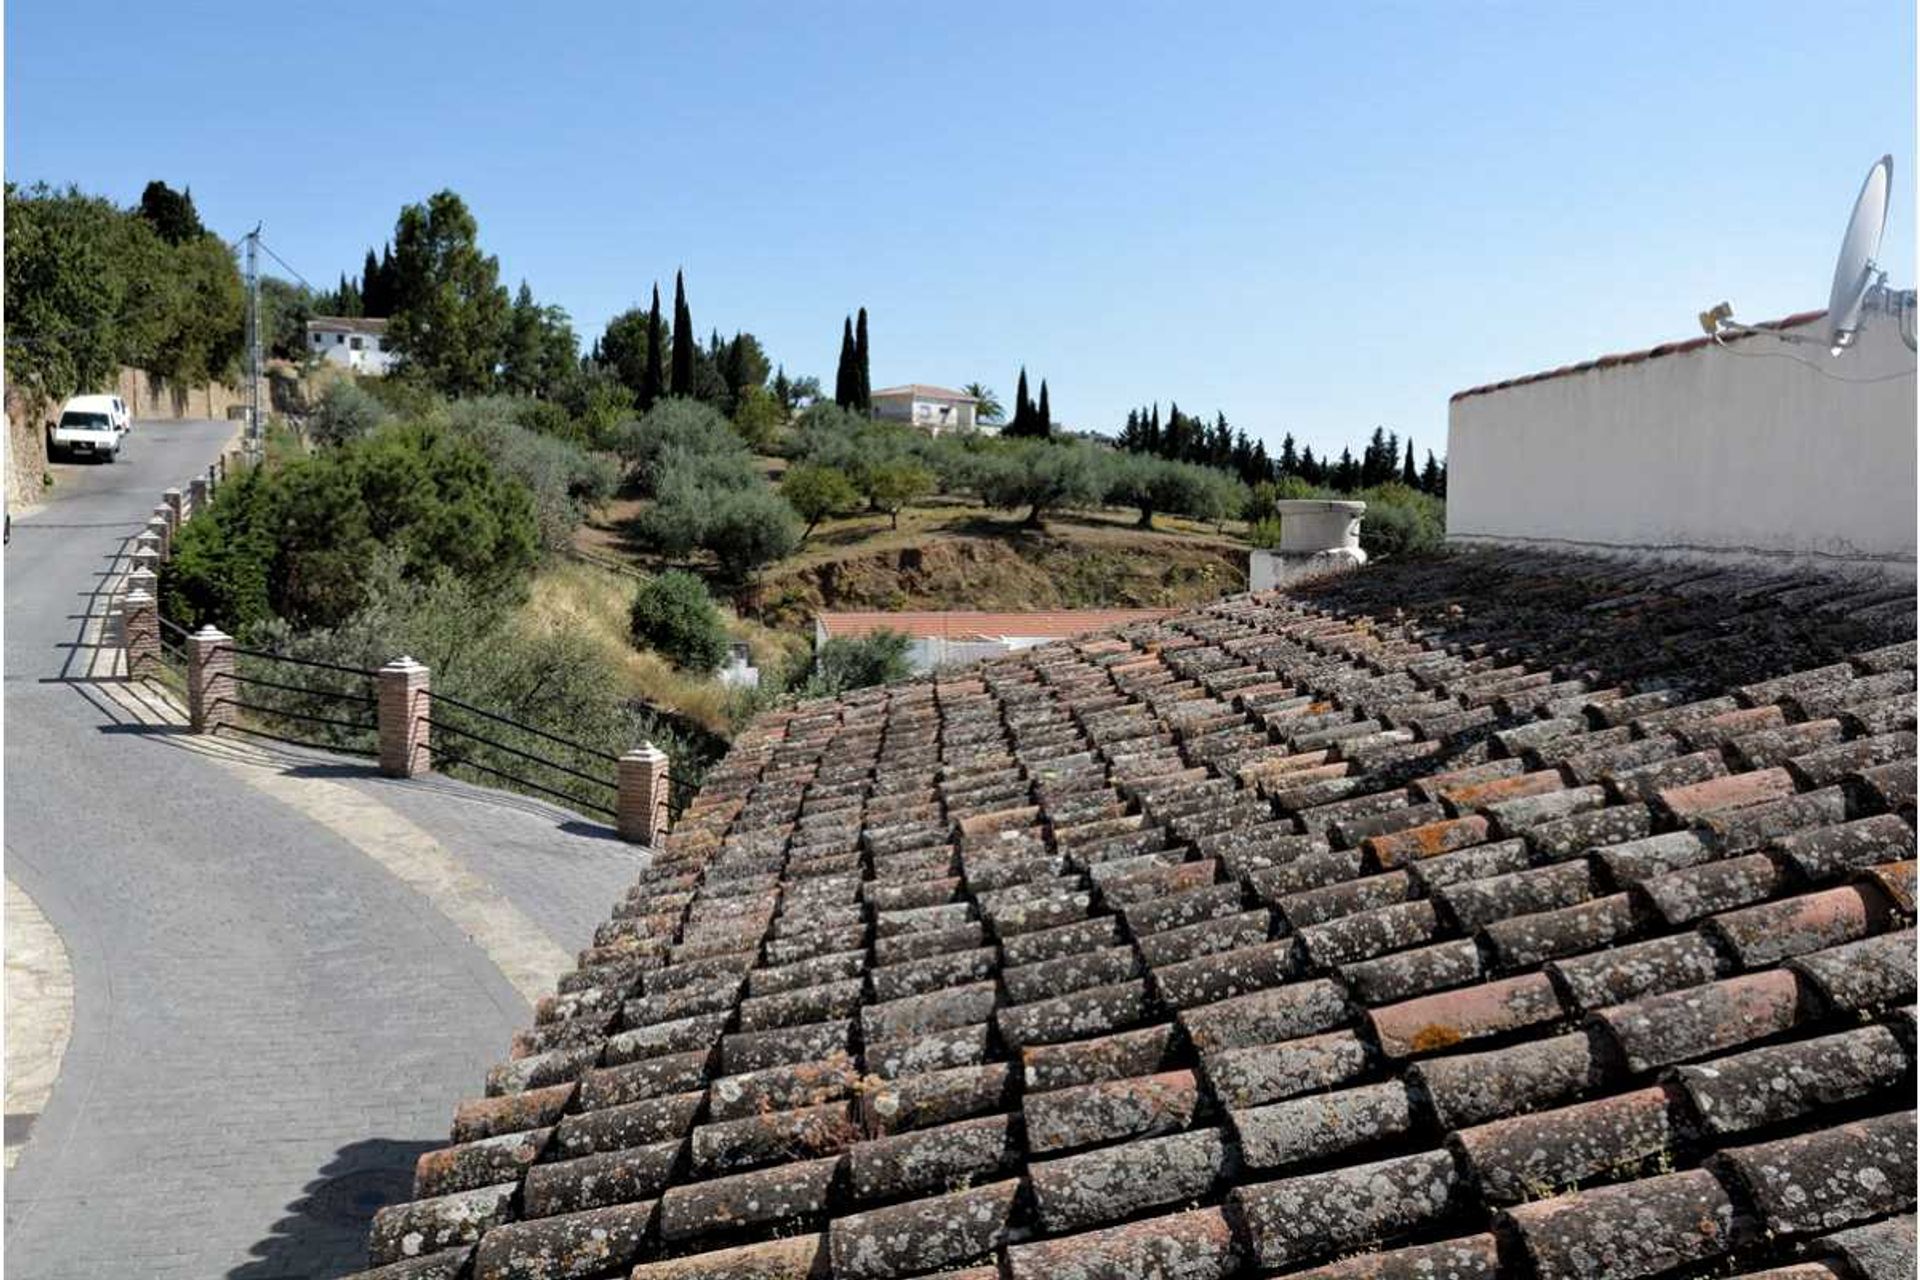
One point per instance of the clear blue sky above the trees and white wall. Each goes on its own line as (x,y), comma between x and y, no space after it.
(1314,220)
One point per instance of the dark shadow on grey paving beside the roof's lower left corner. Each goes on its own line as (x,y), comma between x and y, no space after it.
(325,1229)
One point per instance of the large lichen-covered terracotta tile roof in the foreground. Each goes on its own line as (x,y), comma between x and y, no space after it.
(1499,914)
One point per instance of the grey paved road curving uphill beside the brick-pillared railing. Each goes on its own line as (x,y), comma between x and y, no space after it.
(270,1022)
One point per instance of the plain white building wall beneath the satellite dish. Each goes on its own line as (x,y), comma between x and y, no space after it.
(1756,452)
